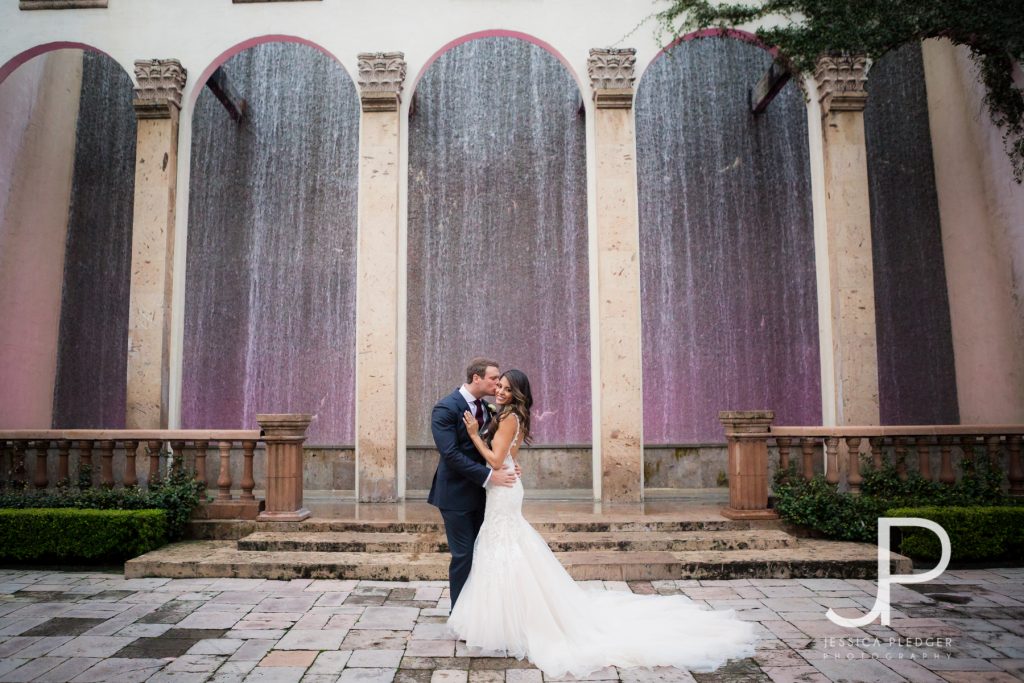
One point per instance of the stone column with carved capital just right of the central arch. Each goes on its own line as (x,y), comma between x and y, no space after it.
(619,276)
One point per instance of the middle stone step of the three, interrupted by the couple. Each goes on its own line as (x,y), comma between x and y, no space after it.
(435,542)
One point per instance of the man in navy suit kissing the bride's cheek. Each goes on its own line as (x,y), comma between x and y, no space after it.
(462,473)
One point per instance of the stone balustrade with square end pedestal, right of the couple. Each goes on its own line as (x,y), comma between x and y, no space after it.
(929,450)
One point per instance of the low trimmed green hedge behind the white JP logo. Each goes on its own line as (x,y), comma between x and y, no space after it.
(975,533)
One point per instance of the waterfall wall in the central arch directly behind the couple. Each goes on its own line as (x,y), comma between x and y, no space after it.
(498,232)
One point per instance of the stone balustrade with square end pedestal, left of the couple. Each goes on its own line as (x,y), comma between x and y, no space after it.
(144,457)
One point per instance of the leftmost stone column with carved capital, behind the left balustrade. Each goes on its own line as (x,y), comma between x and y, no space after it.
(158,101)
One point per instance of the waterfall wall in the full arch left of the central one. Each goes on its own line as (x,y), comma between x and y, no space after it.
(271,287)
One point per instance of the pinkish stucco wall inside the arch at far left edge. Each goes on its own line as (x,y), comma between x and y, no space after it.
(39,113)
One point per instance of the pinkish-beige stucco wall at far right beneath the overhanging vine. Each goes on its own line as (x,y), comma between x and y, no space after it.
(983,215)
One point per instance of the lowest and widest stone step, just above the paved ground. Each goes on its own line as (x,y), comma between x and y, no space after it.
(809,559)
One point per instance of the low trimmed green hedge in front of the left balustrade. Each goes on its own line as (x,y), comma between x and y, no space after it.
(67,534)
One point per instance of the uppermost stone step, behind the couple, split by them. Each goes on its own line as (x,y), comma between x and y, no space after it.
(216,530)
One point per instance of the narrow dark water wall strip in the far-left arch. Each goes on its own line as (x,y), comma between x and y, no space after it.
(93,348)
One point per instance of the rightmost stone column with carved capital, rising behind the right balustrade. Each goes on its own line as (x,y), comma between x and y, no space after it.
(843,97)
